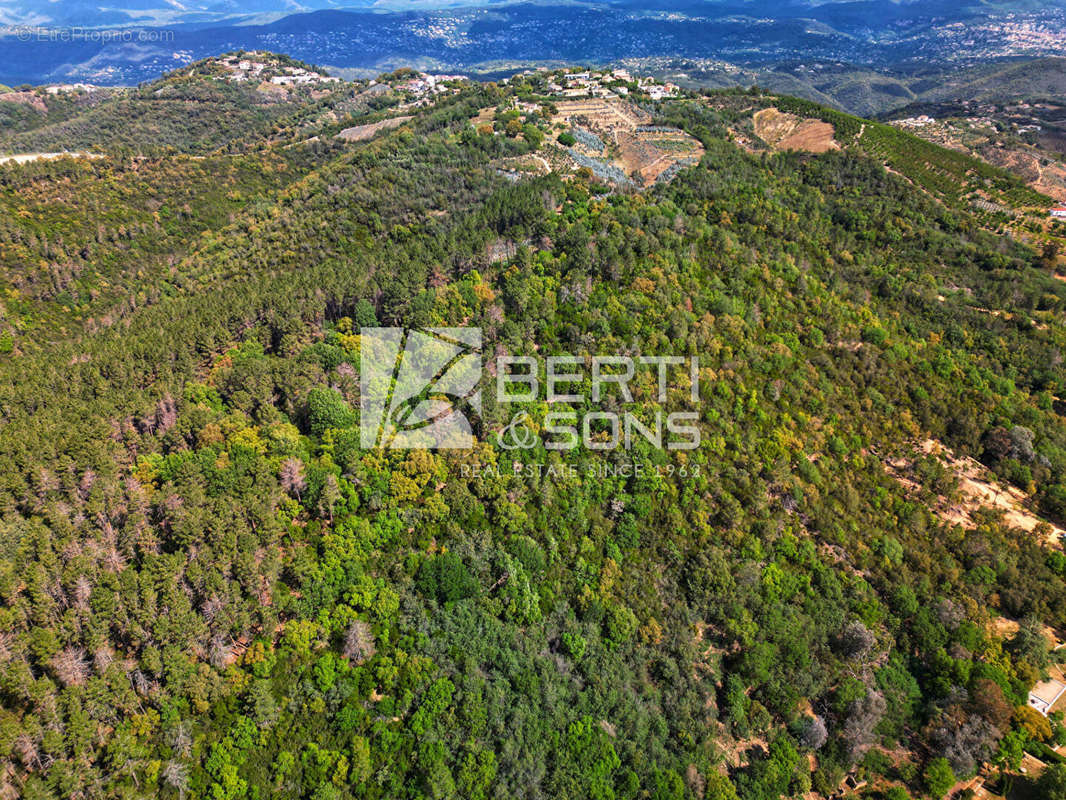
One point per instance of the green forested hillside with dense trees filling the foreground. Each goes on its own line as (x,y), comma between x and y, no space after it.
(211,589)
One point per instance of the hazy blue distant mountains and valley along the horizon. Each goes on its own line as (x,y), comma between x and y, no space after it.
(146,38)
